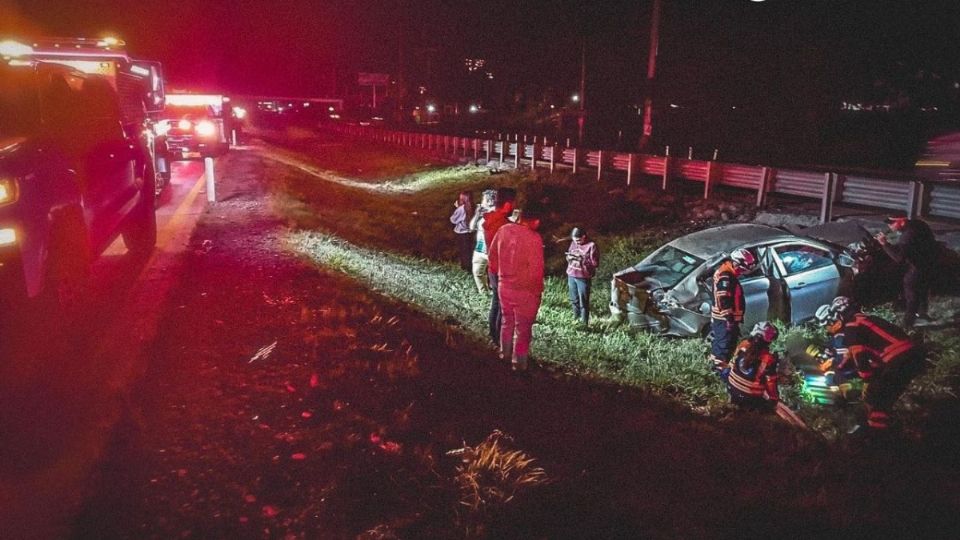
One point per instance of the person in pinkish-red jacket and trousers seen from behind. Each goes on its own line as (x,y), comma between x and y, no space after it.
(516,256)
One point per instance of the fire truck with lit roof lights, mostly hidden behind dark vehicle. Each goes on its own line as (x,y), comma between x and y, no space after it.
(139,83)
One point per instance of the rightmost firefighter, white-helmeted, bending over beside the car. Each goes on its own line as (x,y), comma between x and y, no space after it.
(885,357)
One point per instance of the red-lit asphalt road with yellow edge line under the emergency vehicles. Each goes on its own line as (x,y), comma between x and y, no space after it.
(57,410)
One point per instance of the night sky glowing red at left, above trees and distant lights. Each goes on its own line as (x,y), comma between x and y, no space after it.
(713,52)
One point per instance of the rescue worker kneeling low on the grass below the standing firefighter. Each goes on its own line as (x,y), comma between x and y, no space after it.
(751,376)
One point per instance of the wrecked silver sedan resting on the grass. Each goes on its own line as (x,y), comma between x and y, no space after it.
(670,291)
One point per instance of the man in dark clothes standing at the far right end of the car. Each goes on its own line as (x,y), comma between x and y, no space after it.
(917,248)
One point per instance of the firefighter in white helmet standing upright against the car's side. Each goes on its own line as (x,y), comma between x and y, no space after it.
(728,305)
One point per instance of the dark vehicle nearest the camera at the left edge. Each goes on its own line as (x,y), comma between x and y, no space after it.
(74,175)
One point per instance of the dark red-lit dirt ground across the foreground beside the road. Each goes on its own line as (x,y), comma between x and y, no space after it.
(285,401)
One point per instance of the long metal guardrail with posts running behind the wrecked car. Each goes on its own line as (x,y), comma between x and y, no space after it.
(917,198)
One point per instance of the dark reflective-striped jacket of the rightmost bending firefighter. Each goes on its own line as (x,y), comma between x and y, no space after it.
(873,342)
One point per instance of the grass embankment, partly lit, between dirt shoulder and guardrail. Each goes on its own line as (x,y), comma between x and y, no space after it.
(394,236)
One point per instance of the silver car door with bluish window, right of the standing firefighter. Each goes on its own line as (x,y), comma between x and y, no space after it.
(810,276)
